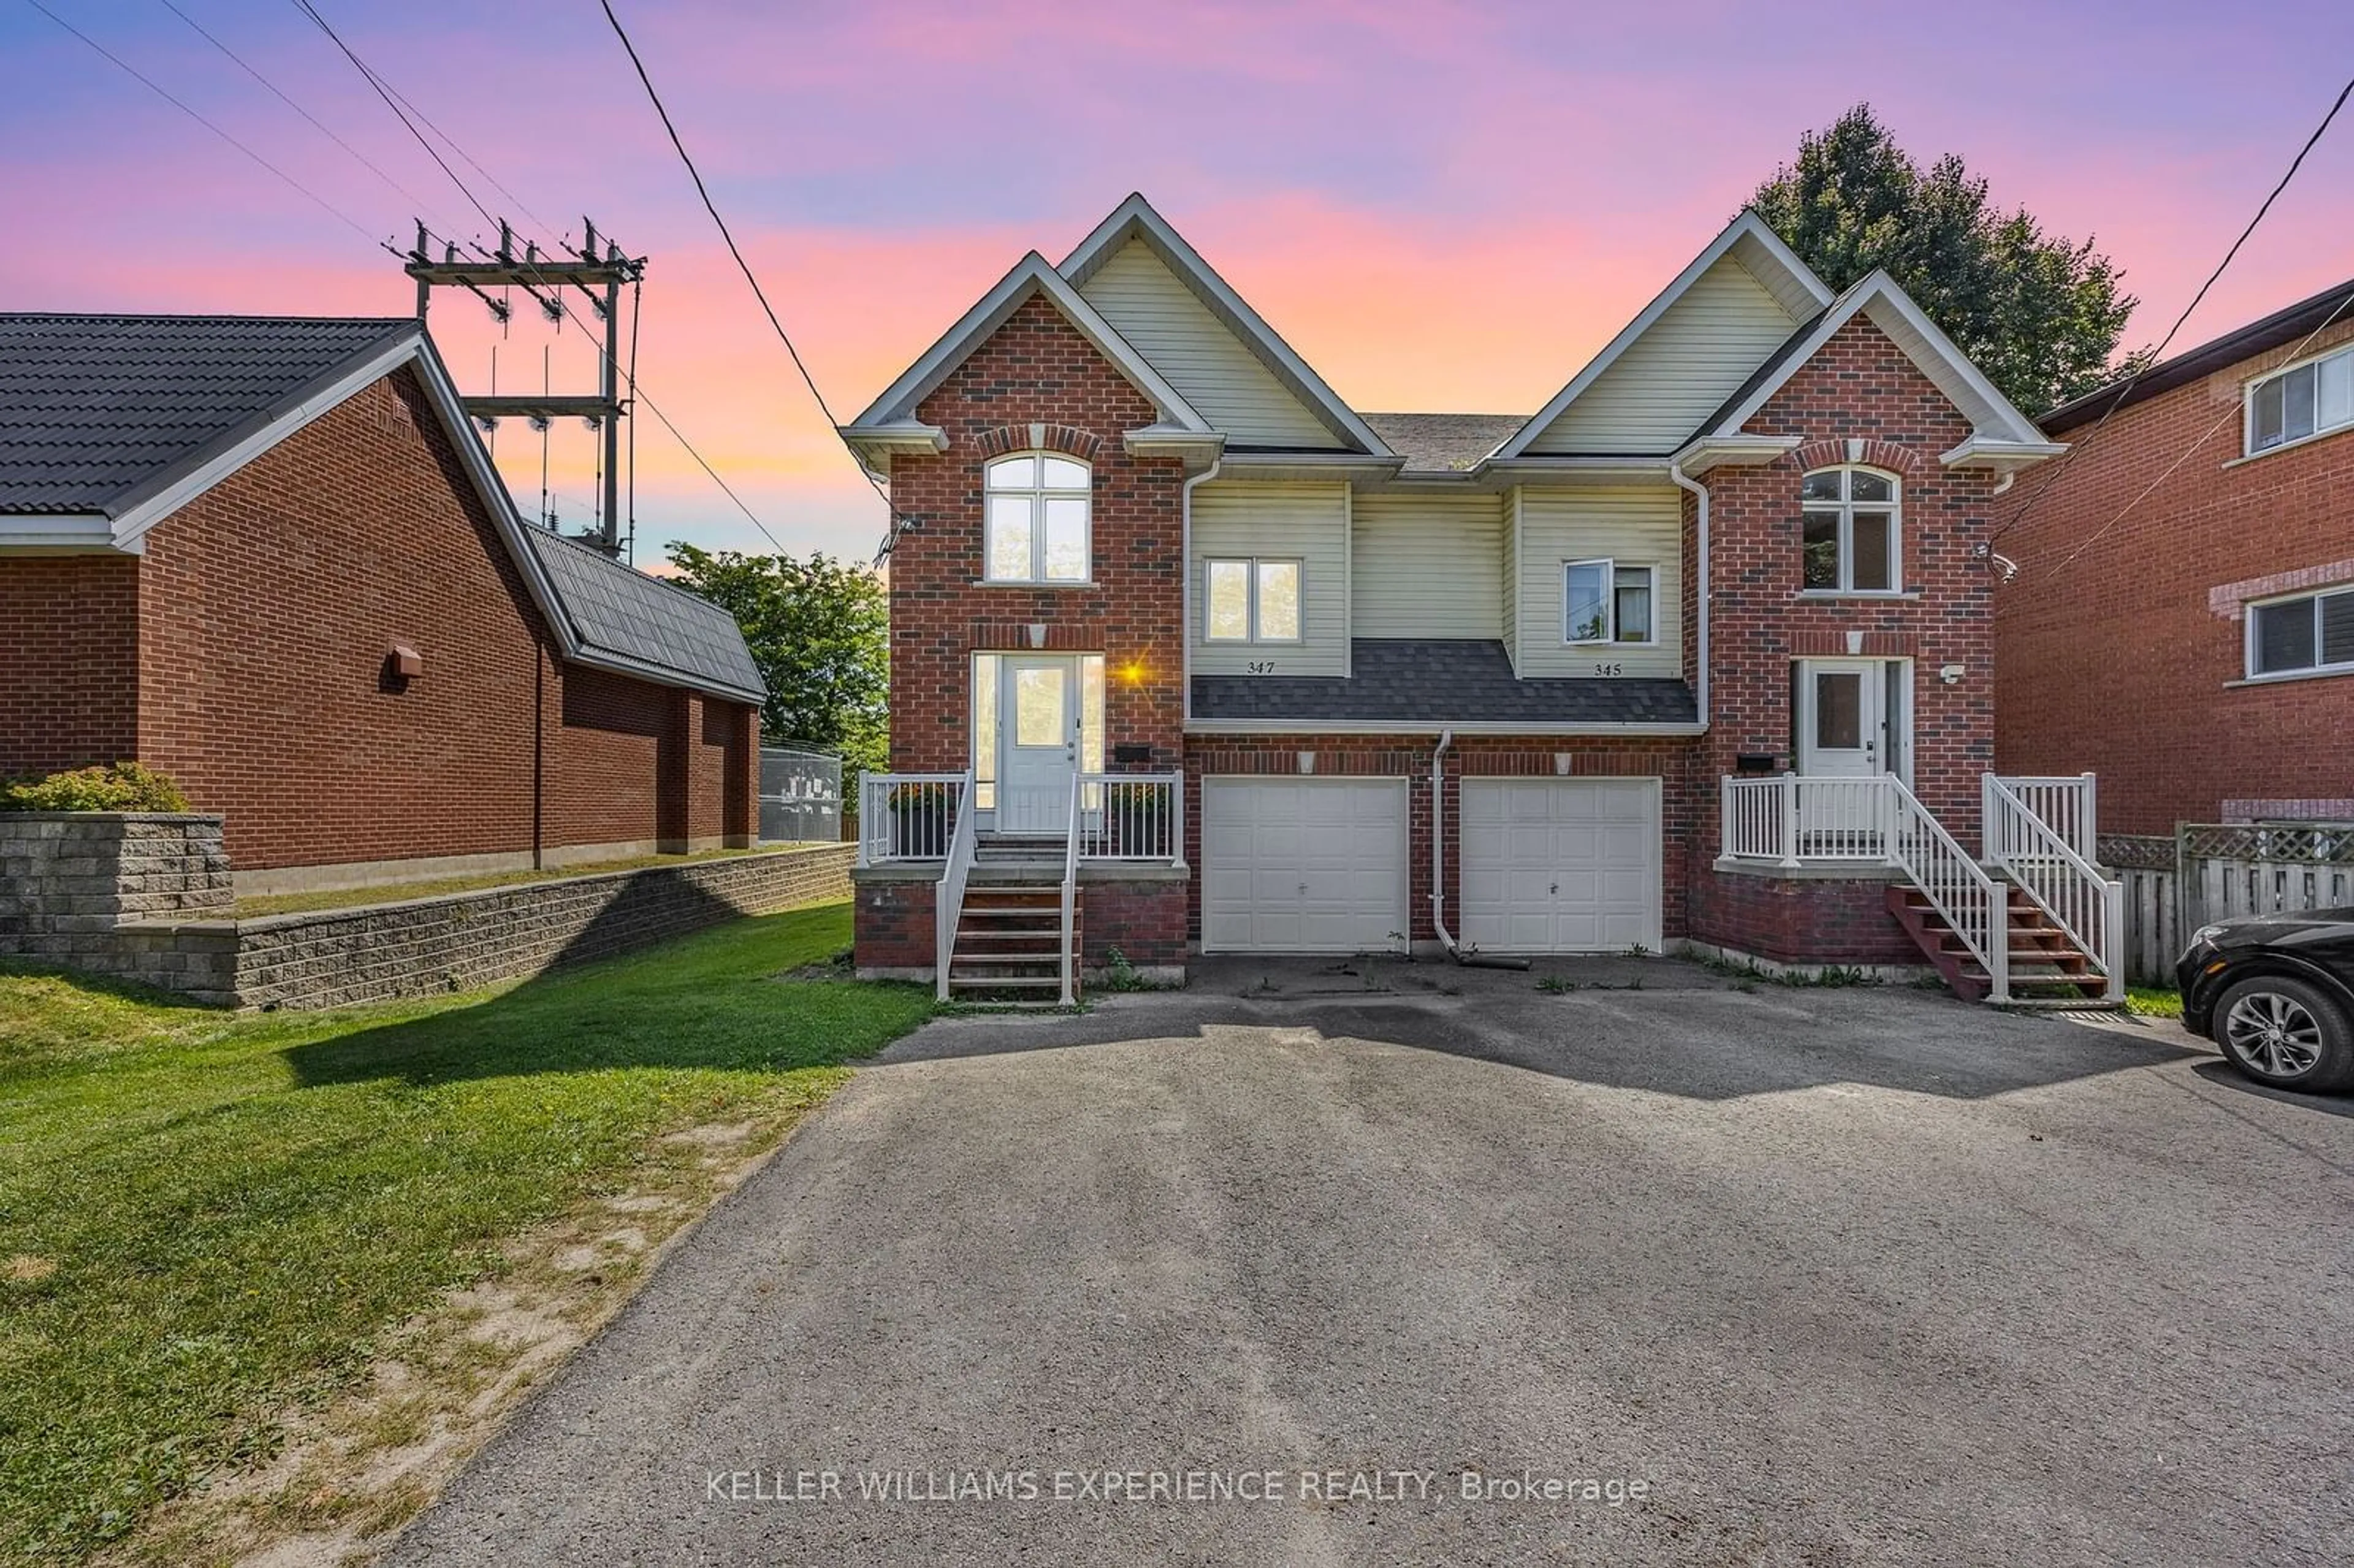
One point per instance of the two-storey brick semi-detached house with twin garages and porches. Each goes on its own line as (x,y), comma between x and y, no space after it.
(1188,656)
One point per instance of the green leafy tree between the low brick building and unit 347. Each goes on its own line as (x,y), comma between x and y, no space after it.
(820,634)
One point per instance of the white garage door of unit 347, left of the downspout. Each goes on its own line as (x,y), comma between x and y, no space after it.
(1303,865)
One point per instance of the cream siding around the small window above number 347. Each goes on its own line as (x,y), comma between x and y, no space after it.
(1277,521)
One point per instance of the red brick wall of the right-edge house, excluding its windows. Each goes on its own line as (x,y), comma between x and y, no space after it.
(2122,637)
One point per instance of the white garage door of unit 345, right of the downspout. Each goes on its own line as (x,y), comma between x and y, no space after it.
(1562,865)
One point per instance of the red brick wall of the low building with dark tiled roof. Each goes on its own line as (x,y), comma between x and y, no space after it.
(246,656)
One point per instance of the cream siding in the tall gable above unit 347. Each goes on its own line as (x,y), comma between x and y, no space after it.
(1206,364)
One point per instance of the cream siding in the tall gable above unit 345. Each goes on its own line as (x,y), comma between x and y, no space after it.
(1680,373)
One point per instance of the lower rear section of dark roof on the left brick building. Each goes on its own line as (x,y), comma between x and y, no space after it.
(641,620)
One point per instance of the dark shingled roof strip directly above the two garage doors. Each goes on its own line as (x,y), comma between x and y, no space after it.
(1439,684)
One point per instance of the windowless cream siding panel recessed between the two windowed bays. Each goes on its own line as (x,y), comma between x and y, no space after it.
(1430,564)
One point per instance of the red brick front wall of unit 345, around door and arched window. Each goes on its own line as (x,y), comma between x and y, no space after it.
(1858,387)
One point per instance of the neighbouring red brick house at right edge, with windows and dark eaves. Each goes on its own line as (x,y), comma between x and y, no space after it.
(2181,618)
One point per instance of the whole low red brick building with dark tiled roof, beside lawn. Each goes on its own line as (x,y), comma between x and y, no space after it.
(272,559)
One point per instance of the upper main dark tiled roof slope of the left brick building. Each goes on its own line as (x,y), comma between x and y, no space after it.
(102,411)
